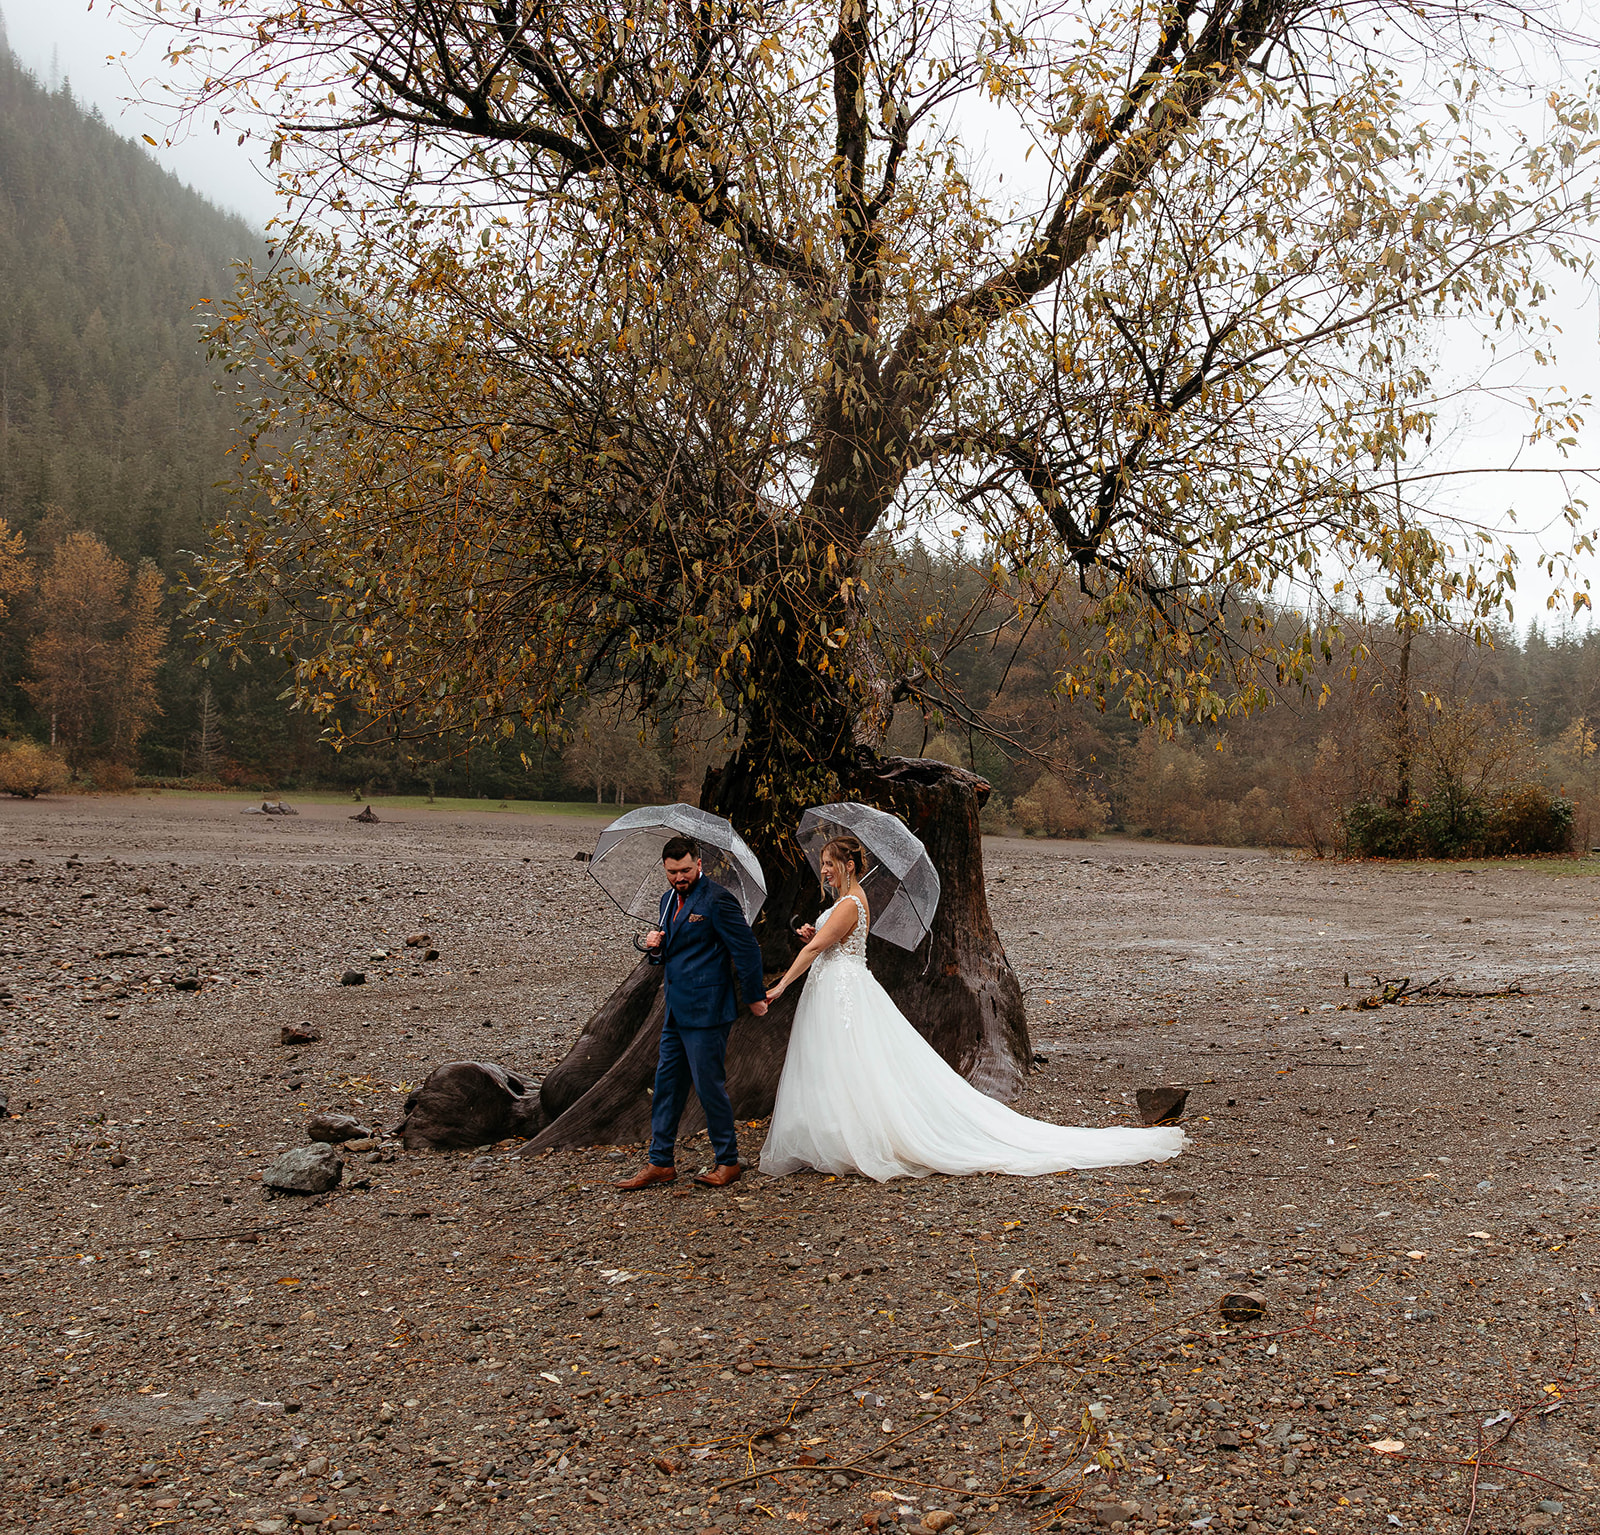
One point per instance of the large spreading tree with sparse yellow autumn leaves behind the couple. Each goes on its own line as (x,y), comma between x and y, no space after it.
(618,347)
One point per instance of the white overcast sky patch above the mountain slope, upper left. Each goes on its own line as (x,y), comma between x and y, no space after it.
(100,57)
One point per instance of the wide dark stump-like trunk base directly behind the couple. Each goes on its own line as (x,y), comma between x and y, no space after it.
(961,993)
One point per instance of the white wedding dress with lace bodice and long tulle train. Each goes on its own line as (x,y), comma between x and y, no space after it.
(863,1092)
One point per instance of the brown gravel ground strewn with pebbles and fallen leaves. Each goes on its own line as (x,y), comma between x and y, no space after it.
(506,1344)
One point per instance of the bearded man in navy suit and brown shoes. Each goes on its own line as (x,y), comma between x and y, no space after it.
(702,929)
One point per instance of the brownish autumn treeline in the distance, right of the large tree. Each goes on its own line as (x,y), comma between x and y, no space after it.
(1436,747)
